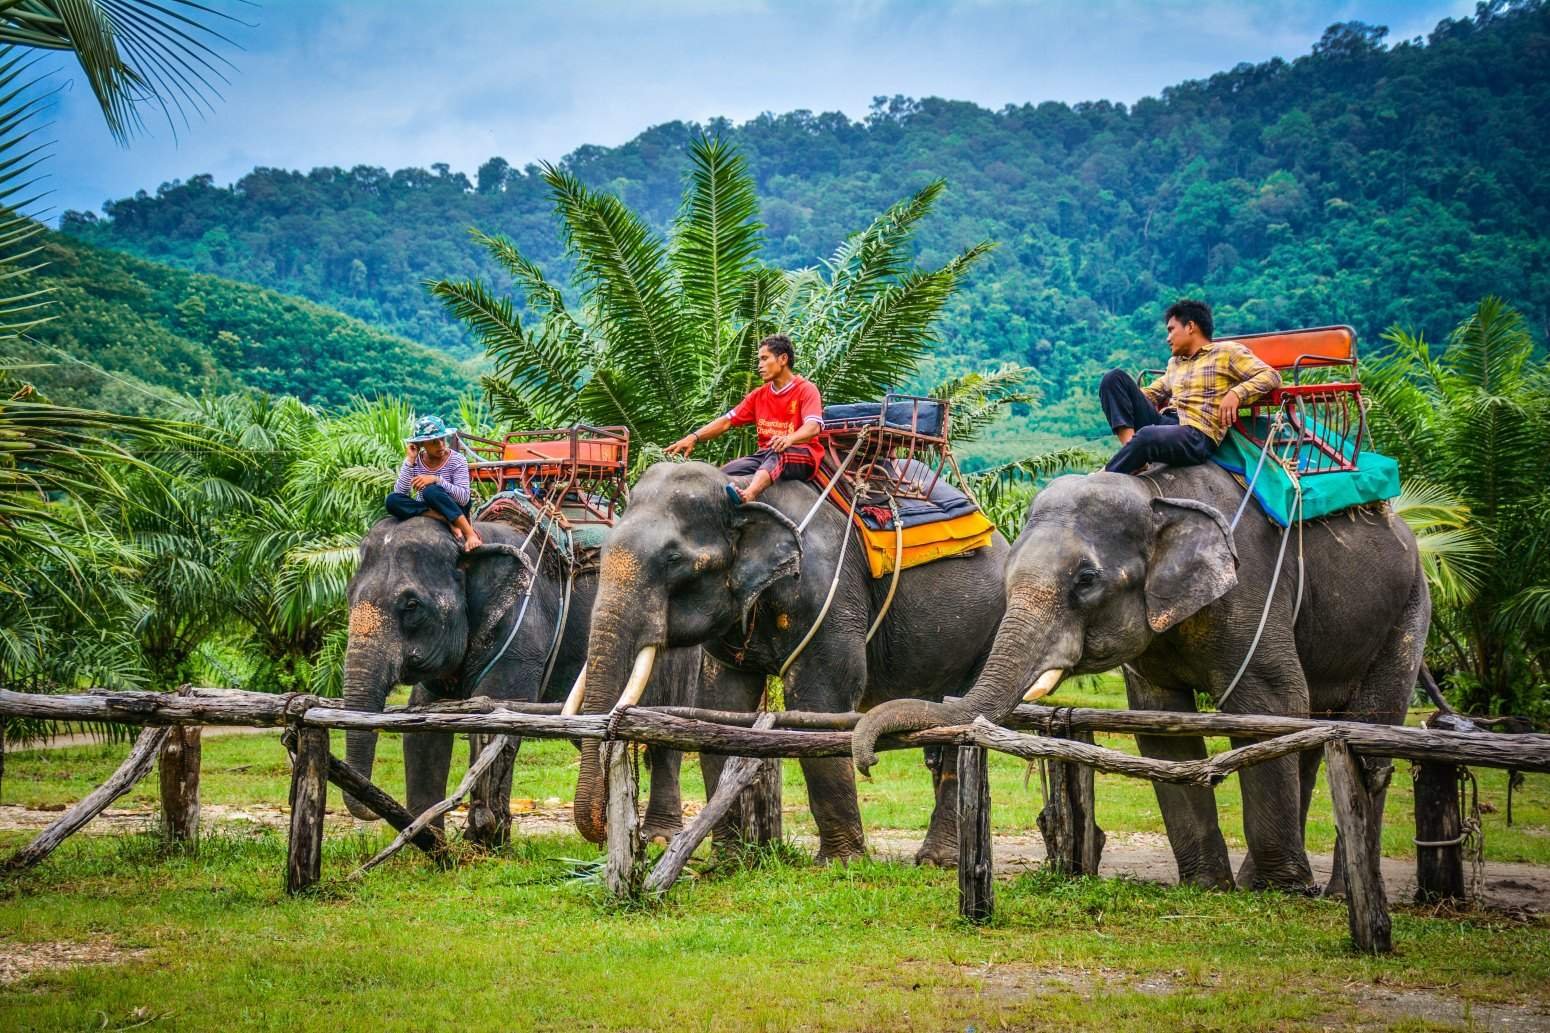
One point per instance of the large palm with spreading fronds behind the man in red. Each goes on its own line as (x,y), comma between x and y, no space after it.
(670,325)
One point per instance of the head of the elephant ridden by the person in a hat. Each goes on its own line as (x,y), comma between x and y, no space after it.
(413,601)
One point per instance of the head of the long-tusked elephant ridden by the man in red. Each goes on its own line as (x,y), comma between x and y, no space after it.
(681,568)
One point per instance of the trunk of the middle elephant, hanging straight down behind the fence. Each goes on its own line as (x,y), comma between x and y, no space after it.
(619,663)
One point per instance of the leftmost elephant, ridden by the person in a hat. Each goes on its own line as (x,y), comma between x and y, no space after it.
(425,613)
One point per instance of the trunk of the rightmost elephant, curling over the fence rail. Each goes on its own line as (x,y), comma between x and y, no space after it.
(1002,685)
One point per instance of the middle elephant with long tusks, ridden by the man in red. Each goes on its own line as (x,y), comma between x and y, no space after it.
(686,567)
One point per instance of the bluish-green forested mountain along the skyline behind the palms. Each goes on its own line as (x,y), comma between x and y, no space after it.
(1363,184)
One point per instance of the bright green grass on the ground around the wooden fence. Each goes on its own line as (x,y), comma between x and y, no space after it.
(512,941)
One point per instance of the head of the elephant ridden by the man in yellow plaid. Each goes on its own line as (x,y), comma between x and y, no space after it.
(1101,568)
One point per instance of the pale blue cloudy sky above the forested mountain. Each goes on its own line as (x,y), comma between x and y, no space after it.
(399,83)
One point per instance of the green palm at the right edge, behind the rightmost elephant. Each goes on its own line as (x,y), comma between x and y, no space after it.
(1472,429)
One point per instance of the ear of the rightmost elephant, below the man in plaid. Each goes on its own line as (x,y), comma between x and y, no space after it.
(1194,562)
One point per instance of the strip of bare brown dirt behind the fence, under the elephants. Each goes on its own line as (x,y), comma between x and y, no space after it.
(1137,855)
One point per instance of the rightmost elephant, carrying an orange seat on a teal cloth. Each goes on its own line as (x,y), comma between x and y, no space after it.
(1146,573)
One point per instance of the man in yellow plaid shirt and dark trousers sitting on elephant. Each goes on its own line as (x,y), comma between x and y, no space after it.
(1180,418)
